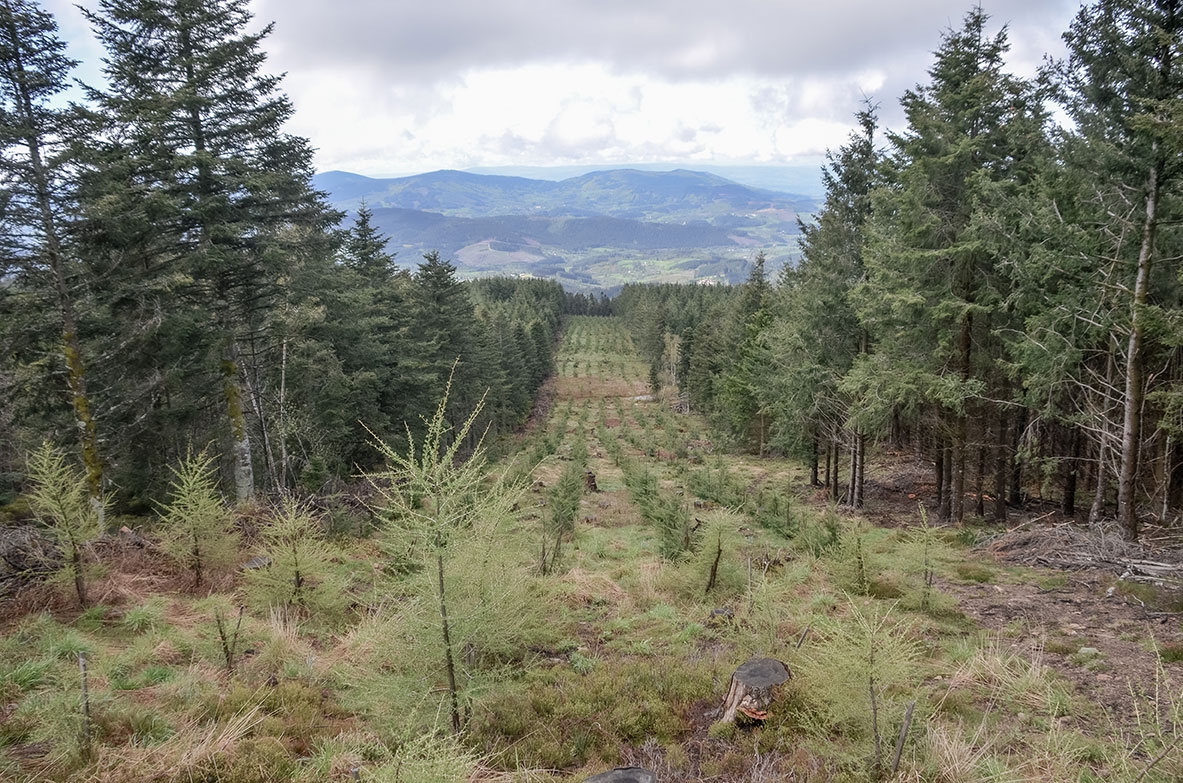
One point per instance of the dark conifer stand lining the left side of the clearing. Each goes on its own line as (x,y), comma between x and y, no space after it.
(171,283)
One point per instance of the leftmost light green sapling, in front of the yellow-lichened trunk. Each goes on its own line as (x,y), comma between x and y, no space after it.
(61,501)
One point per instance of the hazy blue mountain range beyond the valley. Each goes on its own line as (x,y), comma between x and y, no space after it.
(656,225)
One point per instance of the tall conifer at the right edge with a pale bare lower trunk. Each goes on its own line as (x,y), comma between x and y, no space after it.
(1123,83)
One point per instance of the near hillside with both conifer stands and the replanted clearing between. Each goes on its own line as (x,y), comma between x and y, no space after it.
(277,504)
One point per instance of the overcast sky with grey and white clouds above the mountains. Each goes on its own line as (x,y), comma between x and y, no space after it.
(404,87)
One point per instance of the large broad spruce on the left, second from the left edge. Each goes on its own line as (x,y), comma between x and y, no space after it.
(199,184)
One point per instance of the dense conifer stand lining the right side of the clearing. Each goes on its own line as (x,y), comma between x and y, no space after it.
(988,287)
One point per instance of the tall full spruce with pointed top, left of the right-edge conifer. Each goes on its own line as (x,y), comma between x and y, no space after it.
(935,293)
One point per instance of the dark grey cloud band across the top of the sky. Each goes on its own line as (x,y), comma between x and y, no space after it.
(670,40)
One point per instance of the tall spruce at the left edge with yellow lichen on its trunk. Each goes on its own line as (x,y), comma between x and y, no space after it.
(36,135)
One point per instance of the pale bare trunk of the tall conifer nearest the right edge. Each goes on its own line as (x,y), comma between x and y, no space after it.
(1135,387)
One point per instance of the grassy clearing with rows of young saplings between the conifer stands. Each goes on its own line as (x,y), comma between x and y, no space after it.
(592,629)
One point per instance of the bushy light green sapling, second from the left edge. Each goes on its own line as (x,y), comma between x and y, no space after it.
(196,529)
